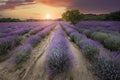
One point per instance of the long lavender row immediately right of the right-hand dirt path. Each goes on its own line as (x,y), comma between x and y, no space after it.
(106,63)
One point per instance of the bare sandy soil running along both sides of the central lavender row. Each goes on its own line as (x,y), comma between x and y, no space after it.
(34,68)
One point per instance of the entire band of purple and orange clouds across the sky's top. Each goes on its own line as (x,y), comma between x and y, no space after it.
(86,6)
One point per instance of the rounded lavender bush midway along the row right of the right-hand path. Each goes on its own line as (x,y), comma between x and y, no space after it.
(90,48)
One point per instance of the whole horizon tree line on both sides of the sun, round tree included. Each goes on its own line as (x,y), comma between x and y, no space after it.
(74,16)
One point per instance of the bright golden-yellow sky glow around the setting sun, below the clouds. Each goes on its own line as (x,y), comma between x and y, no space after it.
(34,11)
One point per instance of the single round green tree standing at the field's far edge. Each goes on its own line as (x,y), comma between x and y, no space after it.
(74,16)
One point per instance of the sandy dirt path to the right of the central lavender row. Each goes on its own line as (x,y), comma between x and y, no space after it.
(80,70)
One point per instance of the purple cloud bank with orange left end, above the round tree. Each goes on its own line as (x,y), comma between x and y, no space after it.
(97,6)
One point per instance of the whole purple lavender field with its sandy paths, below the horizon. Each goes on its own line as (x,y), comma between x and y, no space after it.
(57,50)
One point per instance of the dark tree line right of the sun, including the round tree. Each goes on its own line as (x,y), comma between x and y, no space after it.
(74,16)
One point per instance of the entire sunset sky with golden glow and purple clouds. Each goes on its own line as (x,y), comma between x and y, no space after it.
(40,9)
